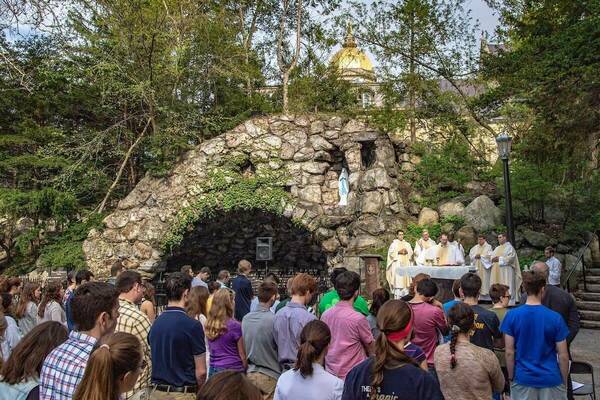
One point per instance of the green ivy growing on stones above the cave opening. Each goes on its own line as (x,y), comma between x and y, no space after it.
(226,189)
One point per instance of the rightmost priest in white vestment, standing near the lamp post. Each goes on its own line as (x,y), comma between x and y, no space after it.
(505,268)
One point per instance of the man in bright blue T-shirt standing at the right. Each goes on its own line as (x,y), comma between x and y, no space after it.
(536,346)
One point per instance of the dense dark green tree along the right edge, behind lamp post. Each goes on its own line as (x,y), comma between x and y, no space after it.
(546,83)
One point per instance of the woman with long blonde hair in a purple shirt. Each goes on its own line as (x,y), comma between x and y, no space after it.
(224,334)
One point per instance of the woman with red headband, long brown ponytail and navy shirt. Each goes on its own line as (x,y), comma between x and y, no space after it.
(391,373)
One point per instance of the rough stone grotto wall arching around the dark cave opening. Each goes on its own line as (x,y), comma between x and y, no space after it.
(309,150)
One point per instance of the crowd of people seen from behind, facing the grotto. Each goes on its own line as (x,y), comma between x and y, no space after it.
(219,340)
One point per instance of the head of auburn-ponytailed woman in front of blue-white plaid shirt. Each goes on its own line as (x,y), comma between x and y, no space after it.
(112,369)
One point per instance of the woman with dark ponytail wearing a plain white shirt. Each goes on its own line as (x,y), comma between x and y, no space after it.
(308,380)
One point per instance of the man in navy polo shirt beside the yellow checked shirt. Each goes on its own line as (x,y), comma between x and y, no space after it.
(177,345)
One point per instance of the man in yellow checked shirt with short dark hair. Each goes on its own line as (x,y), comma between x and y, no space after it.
(132,320)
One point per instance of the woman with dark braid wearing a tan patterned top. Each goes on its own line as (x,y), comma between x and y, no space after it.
(466,371)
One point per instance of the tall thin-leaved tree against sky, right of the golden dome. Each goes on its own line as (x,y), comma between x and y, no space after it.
(421,43)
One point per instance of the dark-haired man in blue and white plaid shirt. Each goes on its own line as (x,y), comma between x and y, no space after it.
(95,312)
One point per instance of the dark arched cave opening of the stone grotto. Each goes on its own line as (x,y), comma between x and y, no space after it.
(221,241)
